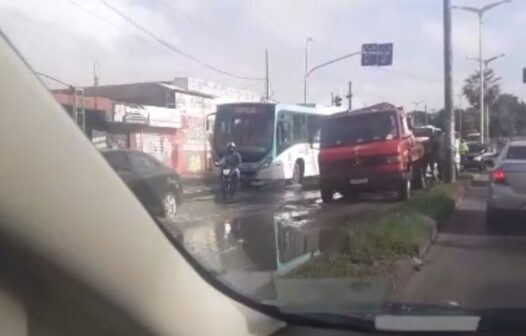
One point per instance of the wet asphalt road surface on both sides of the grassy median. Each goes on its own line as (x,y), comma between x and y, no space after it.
(266,231)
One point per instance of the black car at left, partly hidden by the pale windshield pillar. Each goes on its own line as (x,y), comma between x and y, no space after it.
(157,186)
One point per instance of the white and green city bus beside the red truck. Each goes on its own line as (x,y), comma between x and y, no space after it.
(275,140)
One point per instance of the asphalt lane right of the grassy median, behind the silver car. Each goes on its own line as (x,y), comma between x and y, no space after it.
(470,265)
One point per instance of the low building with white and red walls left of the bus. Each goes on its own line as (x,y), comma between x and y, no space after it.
(172,120)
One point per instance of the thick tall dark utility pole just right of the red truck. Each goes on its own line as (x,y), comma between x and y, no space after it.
(448,96)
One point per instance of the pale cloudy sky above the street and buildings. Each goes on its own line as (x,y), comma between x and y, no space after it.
(64,38)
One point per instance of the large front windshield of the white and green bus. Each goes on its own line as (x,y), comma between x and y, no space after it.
(250,127)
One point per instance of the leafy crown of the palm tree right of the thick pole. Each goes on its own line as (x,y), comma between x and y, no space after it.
(471,89)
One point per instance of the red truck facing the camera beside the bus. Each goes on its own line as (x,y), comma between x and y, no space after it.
(371,149)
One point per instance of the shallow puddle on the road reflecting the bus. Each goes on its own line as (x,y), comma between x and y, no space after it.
(253,242)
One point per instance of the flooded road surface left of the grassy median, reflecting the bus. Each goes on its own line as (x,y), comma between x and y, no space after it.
(263,231)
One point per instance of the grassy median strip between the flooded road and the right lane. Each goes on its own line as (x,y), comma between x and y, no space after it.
(367,246)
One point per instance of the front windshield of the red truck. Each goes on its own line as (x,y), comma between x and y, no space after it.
(357,129)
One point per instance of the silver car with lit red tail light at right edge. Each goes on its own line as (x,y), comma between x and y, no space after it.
(507,186)
